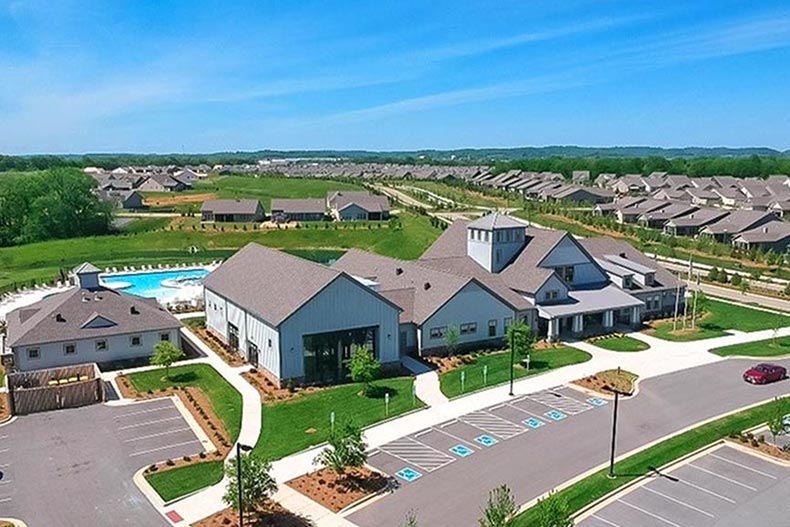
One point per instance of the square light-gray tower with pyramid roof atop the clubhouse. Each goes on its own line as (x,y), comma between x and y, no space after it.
(494,240)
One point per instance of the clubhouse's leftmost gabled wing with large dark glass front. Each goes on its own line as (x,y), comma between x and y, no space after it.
(298,320)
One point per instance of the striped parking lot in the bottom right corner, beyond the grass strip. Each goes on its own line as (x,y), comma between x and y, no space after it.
(725,486)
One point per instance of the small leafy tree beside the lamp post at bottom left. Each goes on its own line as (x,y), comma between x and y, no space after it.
(257,483)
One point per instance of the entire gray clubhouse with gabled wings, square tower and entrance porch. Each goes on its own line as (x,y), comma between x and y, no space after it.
(300,320)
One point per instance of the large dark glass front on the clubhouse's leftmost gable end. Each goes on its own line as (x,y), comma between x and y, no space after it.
(326,354)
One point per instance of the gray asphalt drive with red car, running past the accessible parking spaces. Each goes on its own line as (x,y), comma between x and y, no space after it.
(536,461)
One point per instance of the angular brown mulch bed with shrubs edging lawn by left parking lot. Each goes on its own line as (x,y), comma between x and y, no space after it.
(199,405)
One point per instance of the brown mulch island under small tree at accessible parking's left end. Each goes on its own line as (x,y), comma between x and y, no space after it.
(337,492)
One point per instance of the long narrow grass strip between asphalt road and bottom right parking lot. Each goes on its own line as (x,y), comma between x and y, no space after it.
(594,487)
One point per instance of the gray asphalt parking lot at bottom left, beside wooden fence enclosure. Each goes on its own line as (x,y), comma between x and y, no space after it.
(75,467)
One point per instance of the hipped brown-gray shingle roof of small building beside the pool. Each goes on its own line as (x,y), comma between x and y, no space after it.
(67,316)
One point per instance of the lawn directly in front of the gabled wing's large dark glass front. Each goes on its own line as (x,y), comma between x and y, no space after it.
(295,425)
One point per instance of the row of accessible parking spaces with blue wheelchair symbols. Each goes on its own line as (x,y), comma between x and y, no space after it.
(411,457)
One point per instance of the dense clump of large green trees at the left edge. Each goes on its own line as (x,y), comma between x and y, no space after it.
(57,203)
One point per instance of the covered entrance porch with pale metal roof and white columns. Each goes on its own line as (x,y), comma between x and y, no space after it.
(589,312)
